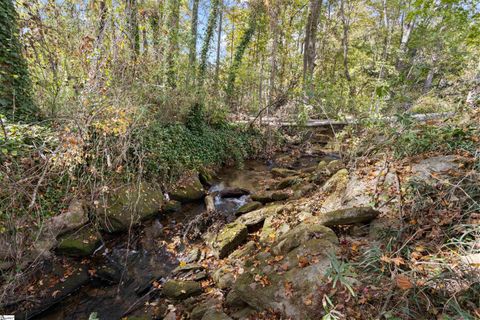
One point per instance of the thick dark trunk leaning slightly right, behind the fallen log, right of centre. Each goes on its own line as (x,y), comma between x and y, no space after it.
(309,52)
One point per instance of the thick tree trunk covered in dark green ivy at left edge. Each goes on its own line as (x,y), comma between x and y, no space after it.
(15,86)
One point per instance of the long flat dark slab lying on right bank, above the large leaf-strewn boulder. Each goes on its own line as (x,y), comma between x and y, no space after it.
(348,216)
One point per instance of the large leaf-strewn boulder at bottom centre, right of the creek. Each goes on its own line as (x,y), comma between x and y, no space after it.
(288,282)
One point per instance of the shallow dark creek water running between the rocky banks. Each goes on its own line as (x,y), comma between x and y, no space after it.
(136,260)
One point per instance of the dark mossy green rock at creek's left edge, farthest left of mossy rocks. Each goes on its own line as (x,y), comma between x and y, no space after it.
(79,244)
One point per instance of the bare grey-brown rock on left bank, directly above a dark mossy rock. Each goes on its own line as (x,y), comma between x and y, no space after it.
(75,217)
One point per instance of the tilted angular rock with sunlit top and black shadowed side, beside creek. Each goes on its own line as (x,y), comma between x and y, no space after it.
(229,238)
